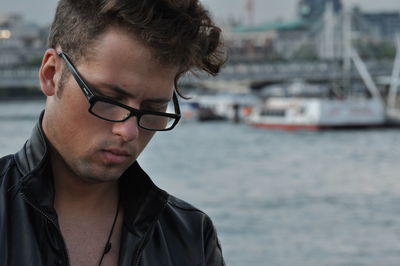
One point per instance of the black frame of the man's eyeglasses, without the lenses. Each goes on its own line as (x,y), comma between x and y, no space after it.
(92,98)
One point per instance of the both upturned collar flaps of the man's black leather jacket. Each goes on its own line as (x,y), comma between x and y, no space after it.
(142,201)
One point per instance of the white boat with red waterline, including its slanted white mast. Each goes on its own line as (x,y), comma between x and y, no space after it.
(300,106)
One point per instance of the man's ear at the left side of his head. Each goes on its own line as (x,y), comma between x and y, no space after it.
(50,72)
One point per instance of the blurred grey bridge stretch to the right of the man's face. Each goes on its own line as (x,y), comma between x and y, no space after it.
(242,76)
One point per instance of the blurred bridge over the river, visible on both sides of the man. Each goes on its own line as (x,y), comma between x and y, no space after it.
(234,76)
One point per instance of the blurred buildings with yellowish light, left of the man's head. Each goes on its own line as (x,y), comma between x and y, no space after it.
(20,42)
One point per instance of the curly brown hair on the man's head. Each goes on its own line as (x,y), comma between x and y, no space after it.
(178,32)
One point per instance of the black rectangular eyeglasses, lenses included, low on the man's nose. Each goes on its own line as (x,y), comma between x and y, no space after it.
(113,111)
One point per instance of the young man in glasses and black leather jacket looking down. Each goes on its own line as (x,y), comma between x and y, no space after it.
(75,195)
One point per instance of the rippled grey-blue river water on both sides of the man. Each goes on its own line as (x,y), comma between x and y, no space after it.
(277,198)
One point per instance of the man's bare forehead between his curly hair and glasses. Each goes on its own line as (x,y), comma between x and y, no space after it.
(119,57)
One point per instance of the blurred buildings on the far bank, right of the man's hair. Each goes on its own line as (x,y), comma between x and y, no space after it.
(317,33)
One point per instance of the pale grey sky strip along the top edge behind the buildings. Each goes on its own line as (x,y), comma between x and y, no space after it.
(42,11)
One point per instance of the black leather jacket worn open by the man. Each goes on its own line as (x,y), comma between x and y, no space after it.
(158,228)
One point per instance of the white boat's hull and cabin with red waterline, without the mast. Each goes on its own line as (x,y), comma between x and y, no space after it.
(315,113)
